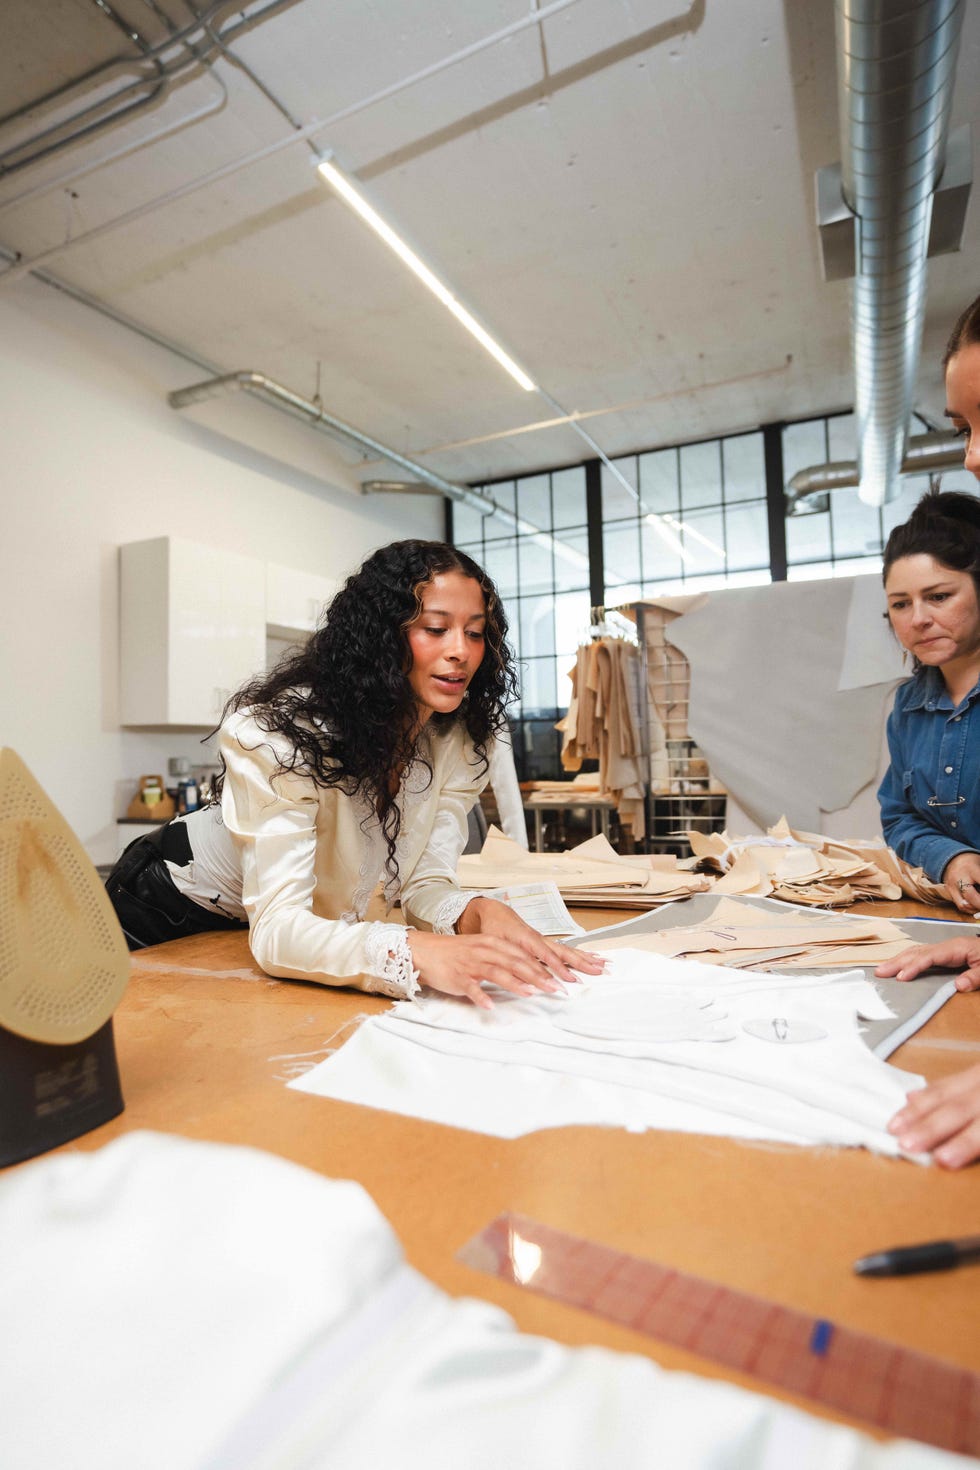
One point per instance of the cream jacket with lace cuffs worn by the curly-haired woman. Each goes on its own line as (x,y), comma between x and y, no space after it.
(302,862)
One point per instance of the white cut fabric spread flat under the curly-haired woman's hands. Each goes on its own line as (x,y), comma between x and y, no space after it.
(519,1068)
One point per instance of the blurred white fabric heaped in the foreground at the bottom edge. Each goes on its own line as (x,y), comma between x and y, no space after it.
(179,1306)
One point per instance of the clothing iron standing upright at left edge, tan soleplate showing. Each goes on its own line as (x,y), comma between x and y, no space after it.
(64,967)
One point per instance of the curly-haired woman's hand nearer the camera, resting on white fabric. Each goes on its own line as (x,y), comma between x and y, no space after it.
(459,964)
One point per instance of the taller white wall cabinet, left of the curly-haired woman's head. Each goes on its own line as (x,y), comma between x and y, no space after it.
(193,628)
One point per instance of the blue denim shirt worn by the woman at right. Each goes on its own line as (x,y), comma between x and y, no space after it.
(935,753)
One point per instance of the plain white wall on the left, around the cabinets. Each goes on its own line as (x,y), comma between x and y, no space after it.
(93,456)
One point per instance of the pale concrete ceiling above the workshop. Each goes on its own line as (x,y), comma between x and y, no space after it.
(622,195)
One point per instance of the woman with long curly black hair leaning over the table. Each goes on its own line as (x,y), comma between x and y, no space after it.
(356,762)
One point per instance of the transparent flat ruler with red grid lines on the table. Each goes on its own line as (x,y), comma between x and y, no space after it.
(879,1383)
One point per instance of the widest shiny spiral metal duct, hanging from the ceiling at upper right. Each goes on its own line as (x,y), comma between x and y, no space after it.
(896,79)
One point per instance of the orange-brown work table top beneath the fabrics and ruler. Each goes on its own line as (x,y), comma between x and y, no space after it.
(205,1041)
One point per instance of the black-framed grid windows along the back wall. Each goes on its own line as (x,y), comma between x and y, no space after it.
(681,520)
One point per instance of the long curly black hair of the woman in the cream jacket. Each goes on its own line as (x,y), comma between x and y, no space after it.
(345,702)
